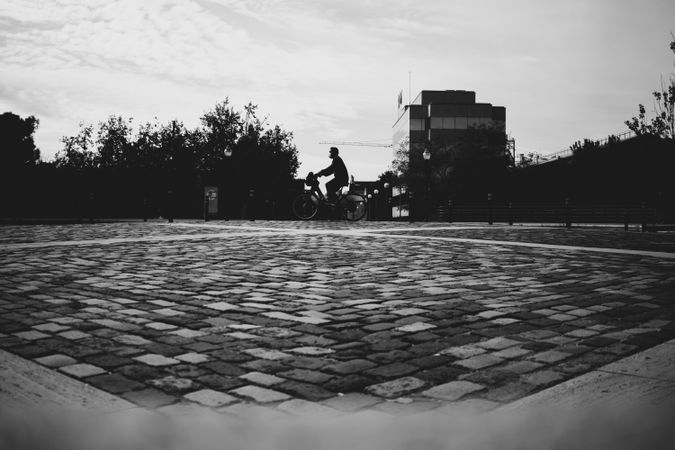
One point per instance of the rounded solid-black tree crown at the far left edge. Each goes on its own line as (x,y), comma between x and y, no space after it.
(17,147)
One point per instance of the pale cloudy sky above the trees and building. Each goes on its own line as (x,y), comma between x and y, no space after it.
(331,71)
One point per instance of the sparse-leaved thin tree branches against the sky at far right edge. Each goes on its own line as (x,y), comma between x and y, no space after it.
(663,123)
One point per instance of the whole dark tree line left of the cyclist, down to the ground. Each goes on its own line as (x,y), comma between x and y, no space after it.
(238,151)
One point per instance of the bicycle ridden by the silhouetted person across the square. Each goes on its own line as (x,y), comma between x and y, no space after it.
(350,206)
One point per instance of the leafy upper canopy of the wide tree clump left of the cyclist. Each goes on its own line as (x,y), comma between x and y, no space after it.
(259,150)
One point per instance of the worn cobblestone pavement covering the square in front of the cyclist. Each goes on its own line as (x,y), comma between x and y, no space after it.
(329,316)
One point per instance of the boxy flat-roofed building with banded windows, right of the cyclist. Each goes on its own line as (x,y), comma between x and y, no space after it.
(451,130)
